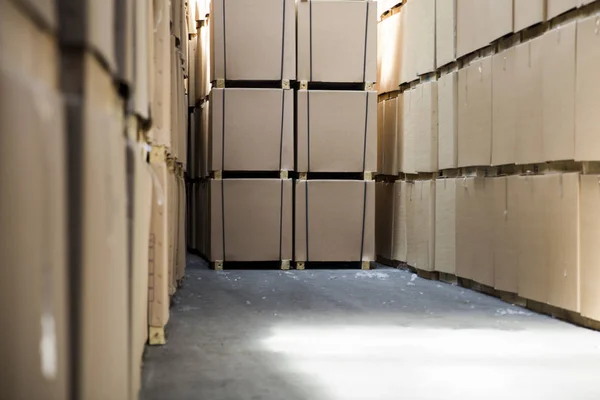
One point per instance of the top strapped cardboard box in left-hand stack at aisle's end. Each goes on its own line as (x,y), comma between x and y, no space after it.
(259,48)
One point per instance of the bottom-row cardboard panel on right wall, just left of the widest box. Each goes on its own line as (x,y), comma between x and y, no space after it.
(474,230)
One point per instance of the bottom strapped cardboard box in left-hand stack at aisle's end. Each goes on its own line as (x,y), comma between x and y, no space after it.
(250,219)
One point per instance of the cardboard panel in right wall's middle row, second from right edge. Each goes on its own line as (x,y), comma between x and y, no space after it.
(558,70)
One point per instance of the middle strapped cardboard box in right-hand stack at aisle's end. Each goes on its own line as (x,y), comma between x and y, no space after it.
(337,131)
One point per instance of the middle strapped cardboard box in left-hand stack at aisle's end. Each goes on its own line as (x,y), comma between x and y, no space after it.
(258,134)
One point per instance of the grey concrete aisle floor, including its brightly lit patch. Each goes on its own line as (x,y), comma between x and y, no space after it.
(346,335)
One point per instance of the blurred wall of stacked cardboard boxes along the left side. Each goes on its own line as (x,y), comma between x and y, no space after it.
(93,163)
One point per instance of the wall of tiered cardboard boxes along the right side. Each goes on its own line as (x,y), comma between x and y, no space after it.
(500,109)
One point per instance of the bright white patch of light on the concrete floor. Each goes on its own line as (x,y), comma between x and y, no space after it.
(424,363)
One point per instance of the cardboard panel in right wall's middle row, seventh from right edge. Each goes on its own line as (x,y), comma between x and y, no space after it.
(426,129)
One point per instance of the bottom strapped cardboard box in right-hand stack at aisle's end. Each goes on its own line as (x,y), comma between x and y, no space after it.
(340,217)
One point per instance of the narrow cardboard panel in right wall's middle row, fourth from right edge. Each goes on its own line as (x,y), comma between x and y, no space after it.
(504,108)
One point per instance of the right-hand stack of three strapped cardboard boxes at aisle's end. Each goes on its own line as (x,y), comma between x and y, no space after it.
(336,132)
